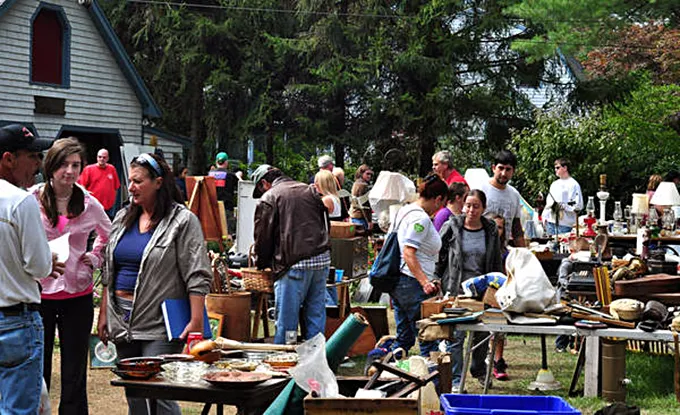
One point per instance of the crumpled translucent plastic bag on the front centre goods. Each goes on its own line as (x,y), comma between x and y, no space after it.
(312,372)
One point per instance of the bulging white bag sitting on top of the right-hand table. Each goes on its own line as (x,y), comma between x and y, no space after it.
(527,289)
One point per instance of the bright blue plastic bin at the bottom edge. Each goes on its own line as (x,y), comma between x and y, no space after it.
(505,405)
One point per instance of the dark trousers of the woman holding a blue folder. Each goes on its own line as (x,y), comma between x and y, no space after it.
(138,348)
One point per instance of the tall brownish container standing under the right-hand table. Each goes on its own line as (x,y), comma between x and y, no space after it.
(613,370)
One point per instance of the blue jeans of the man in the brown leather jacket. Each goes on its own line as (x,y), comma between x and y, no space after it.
(300,288)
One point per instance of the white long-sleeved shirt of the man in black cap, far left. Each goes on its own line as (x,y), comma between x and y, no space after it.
(25,256)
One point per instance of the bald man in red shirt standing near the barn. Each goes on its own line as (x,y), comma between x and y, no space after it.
(101,180)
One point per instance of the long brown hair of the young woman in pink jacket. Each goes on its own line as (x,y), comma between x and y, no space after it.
(60,150)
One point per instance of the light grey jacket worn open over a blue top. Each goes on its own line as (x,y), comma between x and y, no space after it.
(174,264)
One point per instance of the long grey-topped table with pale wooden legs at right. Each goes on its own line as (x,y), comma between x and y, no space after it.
(592,356)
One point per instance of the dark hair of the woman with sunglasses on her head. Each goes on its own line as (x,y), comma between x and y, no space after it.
(165,195)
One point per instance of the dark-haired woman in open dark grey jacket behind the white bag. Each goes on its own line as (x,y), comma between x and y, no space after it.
(470,248)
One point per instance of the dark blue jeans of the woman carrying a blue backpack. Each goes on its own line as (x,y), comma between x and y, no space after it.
(406,299)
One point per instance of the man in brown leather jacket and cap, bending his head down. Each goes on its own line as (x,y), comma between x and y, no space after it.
(291,238)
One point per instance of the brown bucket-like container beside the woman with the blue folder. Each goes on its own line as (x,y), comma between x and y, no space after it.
(236,306)
